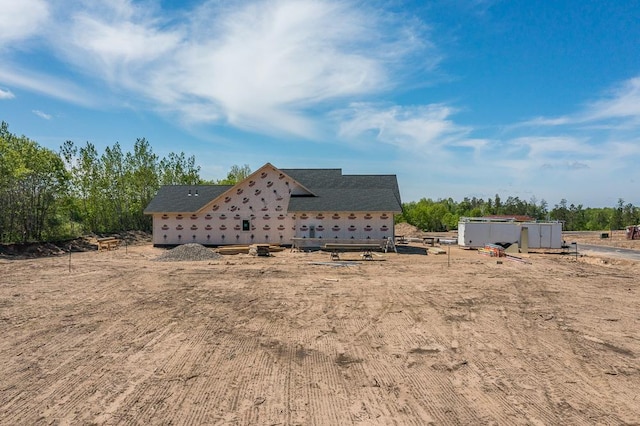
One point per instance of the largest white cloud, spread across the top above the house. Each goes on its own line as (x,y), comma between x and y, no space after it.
(254,64)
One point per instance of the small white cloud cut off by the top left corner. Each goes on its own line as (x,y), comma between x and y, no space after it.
(21,19)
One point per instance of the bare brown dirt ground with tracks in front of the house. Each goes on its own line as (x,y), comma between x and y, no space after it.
(459,338)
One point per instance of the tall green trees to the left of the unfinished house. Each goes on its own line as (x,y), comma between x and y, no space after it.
(47,195)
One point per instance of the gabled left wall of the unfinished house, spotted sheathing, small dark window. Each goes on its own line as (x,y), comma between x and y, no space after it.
(262,200)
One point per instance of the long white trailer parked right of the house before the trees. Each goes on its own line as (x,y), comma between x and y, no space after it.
(476,232)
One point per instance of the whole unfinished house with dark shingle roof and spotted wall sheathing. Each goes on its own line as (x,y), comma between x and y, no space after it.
(275,206)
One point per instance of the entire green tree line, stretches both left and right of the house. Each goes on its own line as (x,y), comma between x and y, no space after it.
(47,195)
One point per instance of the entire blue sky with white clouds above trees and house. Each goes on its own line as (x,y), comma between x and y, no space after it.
(528,98)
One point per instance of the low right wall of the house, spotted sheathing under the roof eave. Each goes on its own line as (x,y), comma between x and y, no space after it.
(344,225)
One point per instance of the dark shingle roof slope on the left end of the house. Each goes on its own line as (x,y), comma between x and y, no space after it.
(176,199)
